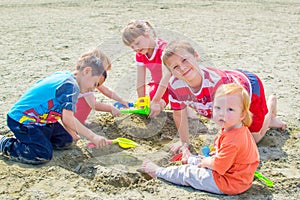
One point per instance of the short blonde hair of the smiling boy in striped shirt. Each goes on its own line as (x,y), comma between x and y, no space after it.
(175,46)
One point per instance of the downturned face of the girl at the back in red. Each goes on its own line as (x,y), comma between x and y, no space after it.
(141,44)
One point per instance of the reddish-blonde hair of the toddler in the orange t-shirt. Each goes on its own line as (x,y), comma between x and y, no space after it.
(233,88)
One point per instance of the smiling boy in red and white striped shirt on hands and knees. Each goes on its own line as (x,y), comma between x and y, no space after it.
(193,85)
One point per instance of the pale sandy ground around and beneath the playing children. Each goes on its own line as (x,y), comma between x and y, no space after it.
(39,37)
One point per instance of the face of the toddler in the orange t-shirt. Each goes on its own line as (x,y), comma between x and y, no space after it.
(227,111)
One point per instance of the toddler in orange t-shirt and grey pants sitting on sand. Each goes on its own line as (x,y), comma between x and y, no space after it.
(231,170)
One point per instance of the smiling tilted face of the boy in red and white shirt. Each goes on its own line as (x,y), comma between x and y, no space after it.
(184,65)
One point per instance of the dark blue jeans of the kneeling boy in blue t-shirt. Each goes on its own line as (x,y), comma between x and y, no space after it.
(34,144)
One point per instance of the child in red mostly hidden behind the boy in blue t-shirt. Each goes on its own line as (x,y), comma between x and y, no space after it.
(87,101)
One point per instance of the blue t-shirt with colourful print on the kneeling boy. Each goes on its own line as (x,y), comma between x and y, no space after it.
(43,102)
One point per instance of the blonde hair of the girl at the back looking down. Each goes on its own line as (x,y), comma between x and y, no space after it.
(136,28)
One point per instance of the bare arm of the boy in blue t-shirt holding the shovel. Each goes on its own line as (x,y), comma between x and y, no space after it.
(73,126)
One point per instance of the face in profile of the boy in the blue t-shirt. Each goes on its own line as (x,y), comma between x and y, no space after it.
(86,81)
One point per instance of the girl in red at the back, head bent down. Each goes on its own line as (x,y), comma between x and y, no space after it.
(141,37)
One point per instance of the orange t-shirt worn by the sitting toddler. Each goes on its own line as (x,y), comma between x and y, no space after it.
(236,160)
